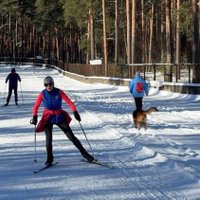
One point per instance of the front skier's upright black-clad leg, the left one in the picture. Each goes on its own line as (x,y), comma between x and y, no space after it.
(49,149)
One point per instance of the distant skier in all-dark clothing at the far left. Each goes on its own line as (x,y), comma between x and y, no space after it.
(13,79)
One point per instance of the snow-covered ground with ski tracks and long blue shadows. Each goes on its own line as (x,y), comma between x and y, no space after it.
(160,163)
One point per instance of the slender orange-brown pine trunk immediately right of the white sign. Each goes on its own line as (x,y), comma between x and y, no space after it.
(105,38)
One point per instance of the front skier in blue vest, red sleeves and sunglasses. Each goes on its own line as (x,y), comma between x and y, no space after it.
(54,114)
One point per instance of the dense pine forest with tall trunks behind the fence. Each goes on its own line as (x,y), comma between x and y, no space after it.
(116,31)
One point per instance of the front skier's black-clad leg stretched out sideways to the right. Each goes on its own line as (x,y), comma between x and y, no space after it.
(68,132)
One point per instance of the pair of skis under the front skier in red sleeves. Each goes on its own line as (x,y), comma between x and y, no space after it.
(95,162)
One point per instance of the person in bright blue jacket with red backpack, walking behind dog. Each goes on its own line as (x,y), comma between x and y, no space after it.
(138,87)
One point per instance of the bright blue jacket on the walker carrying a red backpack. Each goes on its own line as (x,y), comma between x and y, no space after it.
(132,86)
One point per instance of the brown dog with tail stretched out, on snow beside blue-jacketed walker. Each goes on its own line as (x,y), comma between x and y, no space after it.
(140,117)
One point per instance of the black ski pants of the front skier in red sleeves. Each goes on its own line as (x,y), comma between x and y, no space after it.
(68,132)
